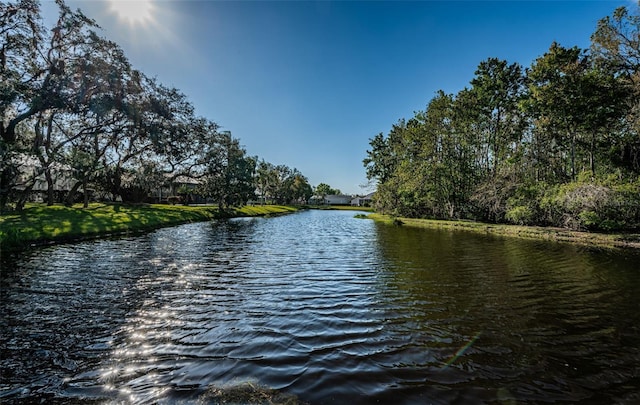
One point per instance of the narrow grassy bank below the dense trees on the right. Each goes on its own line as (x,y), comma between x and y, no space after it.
(525,232)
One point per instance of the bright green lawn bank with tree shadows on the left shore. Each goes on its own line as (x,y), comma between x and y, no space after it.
(39,224)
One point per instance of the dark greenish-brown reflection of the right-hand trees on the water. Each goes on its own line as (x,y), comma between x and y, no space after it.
(536,321)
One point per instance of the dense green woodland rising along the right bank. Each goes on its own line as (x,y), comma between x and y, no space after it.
(554,144)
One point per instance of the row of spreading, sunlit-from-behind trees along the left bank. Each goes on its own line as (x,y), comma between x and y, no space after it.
(70,102)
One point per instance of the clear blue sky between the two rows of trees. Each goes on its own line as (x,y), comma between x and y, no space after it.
(307,83)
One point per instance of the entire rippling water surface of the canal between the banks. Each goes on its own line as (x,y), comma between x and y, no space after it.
(323,306)
